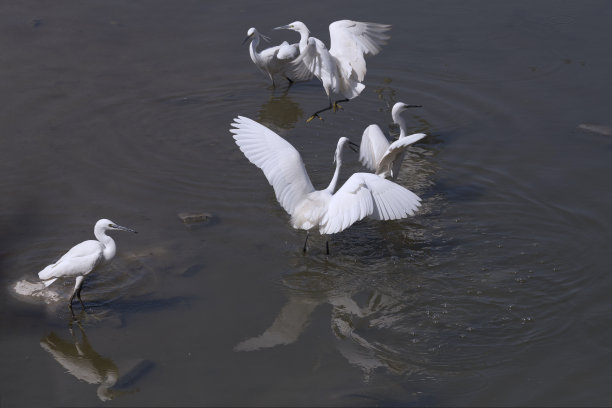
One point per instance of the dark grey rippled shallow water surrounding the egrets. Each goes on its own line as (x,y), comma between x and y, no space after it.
(495,293)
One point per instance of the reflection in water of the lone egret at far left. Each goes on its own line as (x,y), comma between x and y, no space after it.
(80,359)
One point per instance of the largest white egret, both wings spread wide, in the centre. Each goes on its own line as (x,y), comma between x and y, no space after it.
(362,195)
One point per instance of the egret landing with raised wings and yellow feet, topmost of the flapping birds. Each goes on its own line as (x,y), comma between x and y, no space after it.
(342,68)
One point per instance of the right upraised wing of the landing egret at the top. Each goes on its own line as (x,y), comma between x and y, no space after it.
(351,40)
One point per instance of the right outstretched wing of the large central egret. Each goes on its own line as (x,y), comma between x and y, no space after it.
(366,194)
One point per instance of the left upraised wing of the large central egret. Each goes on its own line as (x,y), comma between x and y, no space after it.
(277,158)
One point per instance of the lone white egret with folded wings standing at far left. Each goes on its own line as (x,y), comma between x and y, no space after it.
(83,258)
